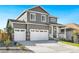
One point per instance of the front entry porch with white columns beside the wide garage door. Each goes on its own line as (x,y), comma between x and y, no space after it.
(55,30)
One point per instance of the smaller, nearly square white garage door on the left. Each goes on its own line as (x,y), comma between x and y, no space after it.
(19,34)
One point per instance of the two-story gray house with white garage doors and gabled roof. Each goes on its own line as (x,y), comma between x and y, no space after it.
(34,24)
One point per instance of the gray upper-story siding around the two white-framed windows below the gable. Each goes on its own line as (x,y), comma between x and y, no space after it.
(38,18)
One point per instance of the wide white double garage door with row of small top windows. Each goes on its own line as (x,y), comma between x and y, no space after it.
(38,34)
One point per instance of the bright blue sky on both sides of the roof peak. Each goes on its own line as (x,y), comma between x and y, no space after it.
(66,13)
